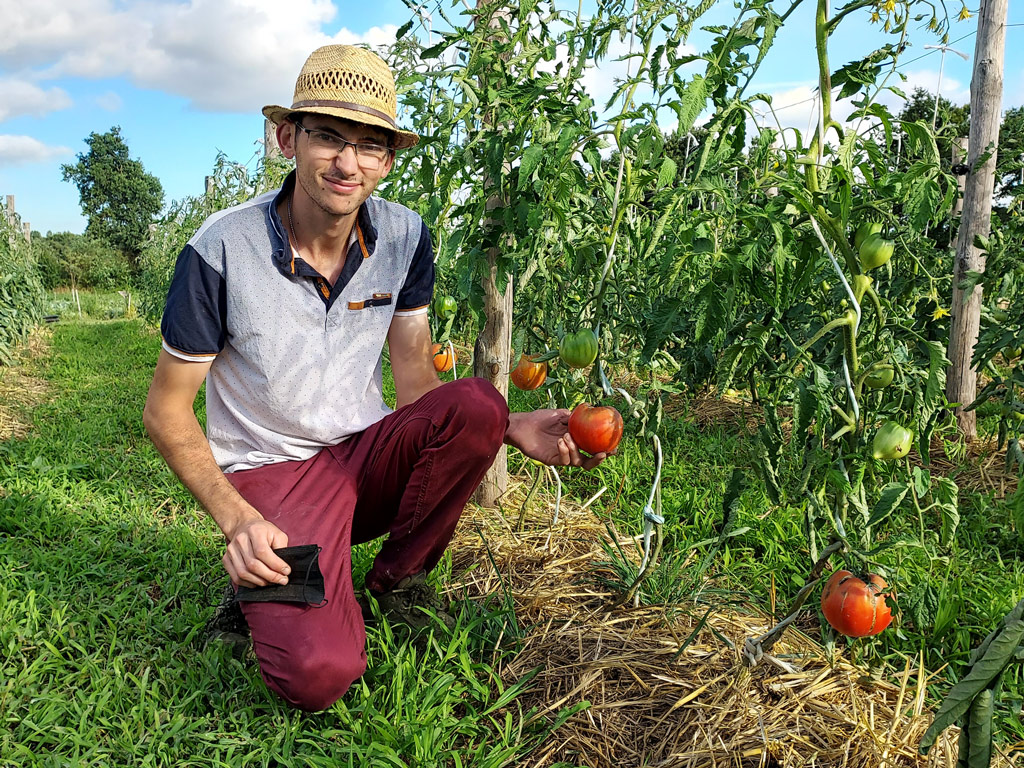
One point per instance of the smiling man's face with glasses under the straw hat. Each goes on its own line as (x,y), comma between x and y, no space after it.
(338,184)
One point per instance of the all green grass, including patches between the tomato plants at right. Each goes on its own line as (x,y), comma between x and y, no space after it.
(109,572)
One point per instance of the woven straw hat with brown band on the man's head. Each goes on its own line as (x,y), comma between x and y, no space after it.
(349,82)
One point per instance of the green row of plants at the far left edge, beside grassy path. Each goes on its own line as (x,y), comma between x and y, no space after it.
(21,288)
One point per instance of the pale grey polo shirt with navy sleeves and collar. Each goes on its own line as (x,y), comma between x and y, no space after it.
(296,362)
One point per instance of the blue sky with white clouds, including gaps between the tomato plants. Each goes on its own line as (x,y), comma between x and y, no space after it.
(187,79)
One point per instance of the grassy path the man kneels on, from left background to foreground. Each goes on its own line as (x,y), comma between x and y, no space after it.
(108,574)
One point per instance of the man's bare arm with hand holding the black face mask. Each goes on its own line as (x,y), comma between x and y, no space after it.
(176,432)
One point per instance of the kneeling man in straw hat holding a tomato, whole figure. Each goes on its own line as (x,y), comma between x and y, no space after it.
(283,306)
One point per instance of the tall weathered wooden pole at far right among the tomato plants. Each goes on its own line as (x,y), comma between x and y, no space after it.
(965,313)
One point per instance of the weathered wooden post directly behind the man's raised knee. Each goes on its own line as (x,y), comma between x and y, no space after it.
(494,346)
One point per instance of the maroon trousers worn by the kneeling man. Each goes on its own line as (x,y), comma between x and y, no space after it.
(409,477)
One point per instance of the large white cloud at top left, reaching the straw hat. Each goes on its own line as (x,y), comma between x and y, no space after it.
(222,56)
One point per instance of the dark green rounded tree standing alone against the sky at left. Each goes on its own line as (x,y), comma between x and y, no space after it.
(117,195)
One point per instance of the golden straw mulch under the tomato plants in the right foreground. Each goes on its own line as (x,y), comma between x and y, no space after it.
(652,704)
